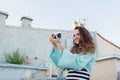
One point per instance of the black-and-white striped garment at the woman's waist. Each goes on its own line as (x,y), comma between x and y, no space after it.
(77,75)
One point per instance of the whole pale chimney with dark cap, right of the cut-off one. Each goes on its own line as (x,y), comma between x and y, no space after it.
(26,22)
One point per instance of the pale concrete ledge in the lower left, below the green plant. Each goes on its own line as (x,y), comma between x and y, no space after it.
(22,72)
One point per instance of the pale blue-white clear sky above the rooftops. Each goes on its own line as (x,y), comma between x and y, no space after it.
(101,15)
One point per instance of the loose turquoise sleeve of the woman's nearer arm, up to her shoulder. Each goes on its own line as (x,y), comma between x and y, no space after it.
(75,61)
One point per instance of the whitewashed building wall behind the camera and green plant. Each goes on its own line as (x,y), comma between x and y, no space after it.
(35,42)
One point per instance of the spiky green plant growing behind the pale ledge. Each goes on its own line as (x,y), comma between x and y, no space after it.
(15,57)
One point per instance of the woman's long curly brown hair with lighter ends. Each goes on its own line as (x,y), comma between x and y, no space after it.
(86,43)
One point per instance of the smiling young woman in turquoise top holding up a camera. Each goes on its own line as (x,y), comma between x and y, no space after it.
(80,59)
